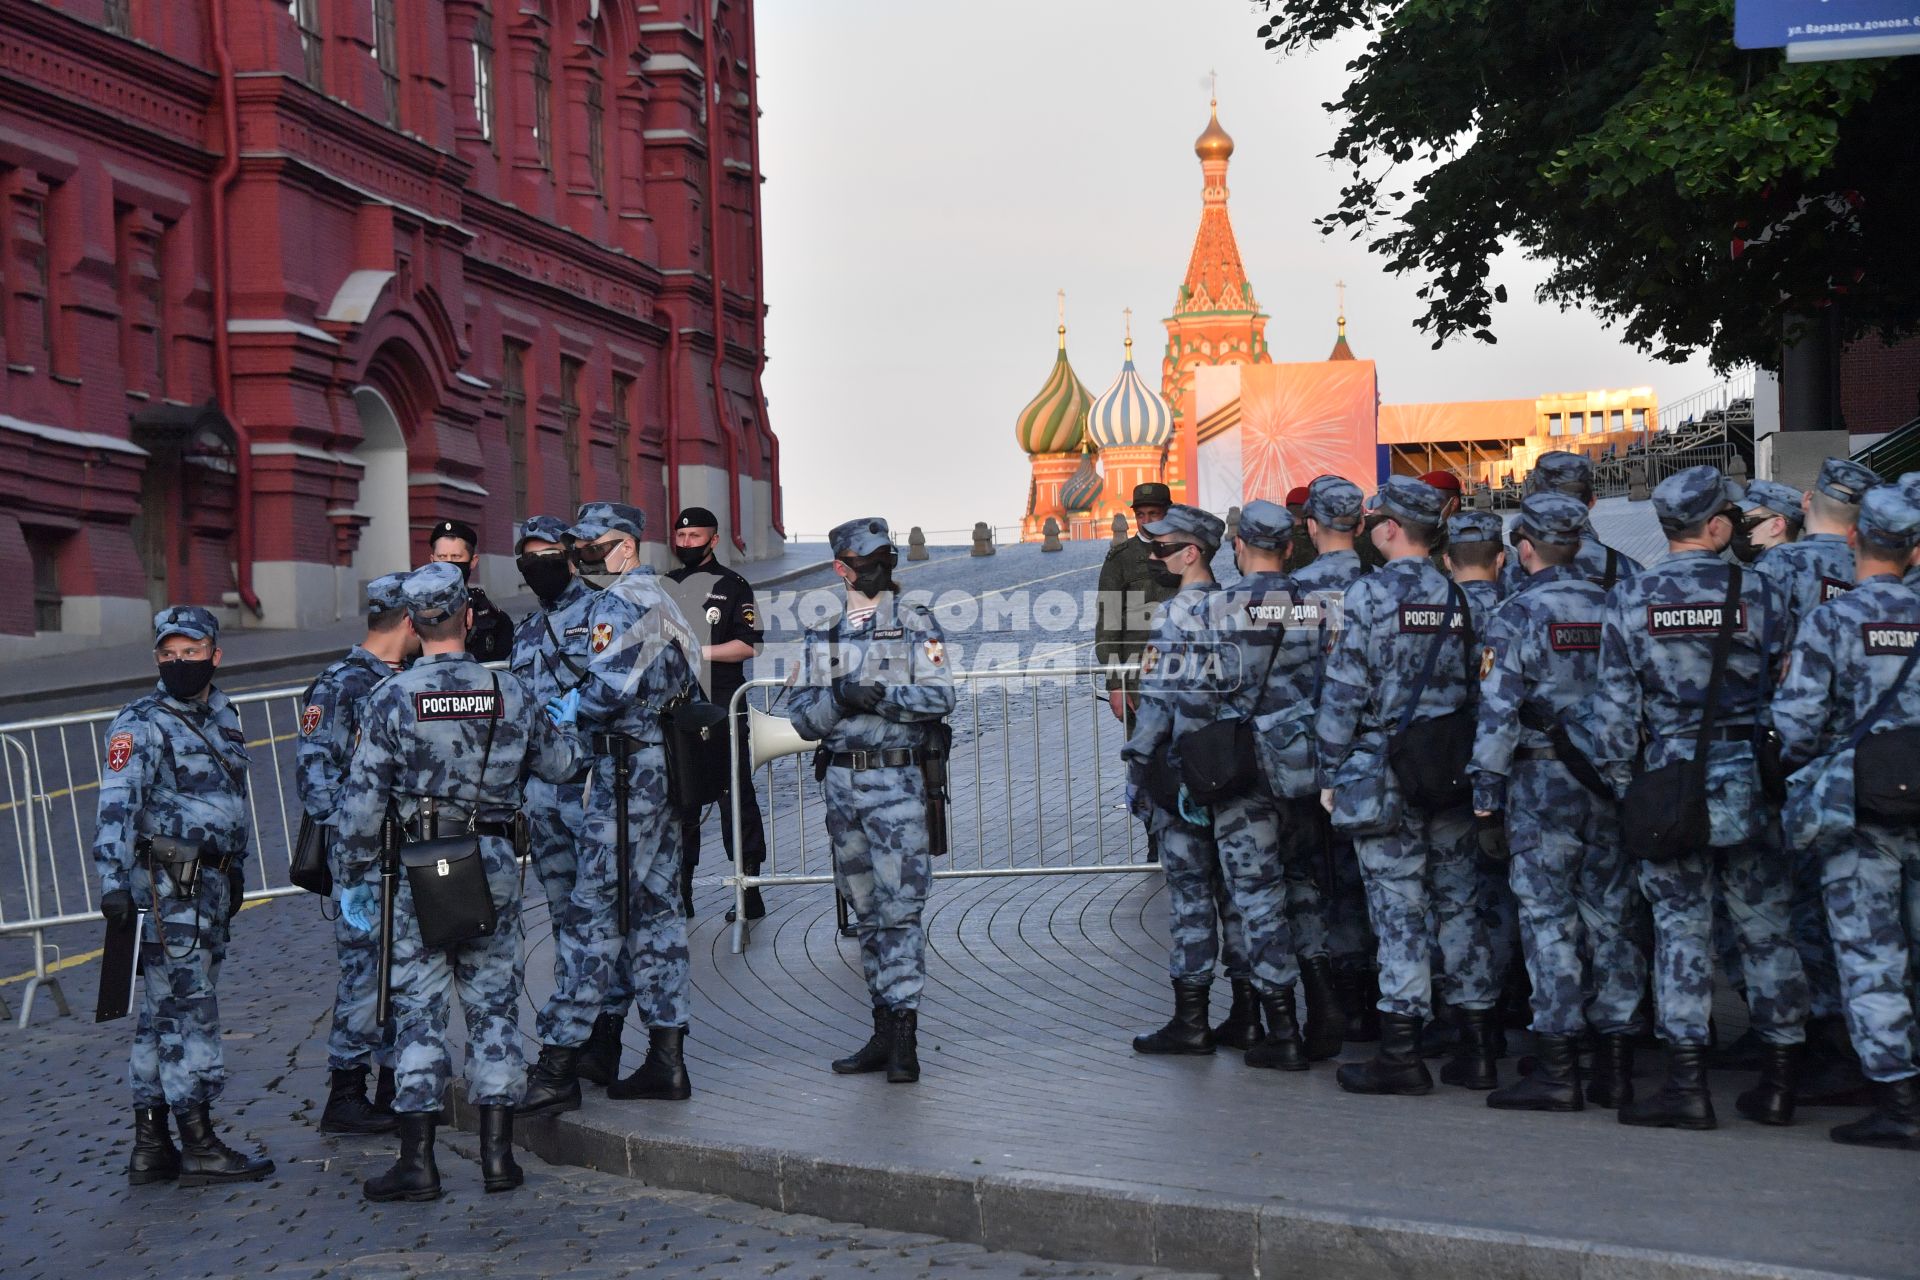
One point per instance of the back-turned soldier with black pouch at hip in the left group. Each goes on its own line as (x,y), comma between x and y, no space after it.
(444,747)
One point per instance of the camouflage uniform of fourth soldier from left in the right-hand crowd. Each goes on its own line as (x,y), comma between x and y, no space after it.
(1412,861)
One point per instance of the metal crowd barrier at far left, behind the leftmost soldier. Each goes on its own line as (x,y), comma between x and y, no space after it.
(49,784)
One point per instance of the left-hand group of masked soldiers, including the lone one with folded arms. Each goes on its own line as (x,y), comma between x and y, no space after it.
(562,761)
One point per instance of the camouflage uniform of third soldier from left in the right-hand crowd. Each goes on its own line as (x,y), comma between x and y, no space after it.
(1322,586)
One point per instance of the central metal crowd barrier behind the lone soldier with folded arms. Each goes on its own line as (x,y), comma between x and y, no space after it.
(1068,817)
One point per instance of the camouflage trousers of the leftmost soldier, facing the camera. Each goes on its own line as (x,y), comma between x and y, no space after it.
(178,1058)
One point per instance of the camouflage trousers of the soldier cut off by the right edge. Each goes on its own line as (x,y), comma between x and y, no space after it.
(1873,911)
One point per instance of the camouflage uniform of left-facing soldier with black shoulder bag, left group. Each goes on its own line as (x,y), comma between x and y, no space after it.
(642,661)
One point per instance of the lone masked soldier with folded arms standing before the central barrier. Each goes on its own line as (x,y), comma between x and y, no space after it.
(873,690)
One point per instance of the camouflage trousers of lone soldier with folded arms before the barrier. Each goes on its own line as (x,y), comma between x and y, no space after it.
(878,830)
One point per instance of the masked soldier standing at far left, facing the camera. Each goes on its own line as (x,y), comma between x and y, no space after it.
(178,770)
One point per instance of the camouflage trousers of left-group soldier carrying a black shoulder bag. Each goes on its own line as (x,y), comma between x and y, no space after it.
(656,945)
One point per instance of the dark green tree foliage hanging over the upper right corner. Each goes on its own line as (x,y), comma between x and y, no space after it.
(1629,147)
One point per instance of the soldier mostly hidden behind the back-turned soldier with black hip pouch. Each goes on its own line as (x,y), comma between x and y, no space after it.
(329,728)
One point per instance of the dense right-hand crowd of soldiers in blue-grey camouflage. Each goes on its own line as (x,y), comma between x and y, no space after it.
(1512,778)
